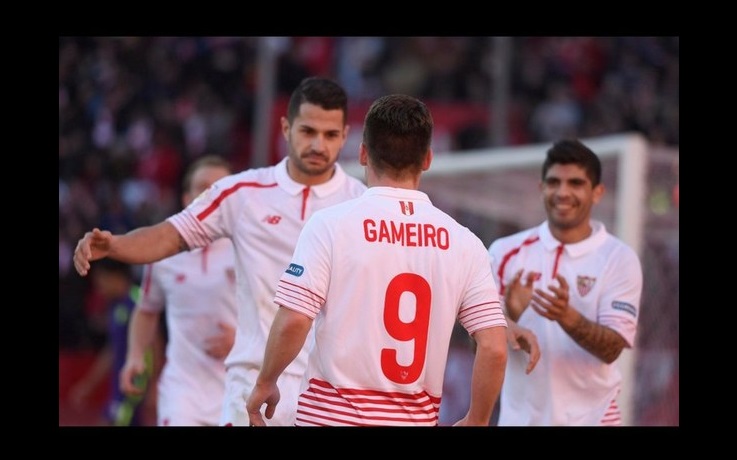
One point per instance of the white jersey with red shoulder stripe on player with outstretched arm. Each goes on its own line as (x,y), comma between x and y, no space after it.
(263,211)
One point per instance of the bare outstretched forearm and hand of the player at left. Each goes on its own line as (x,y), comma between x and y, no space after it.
(139,246)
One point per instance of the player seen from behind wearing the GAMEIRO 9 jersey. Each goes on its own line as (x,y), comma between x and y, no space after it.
(384,277)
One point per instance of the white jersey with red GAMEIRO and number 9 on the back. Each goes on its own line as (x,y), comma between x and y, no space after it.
(385,277)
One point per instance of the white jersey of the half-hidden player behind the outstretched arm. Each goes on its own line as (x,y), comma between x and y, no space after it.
(196,290)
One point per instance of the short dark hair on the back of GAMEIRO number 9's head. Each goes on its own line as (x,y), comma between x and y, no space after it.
(397,132)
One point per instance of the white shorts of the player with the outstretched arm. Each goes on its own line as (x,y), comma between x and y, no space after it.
(239,380)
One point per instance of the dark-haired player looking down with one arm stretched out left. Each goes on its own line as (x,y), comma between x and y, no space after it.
(262,211)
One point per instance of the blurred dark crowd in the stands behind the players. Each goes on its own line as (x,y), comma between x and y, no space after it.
(135,111)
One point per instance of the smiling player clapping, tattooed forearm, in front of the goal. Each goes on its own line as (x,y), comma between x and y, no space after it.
(578,288)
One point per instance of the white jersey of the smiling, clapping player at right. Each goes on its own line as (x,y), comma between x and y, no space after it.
(569,386)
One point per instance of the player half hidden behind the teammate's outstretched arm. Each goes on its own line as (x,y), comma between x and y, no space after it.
(196,290)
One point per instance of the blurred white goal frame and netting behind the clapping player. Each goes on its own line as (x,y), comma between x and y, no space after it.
(501,183)
